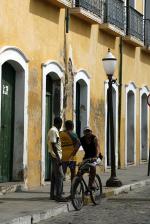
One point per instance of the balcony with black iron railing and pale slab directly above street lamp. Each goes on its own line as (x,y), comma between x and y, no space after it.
(114,17)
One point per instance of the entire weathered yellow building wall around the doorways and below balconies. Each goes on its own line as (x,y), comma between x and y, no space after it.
(37,28)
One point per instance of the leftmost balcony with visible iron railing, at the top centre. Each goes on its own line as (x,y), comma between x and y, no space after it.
(89,10)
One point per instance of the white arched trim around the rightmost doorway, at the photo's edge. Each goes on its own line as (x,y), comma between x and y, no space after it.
(144,90)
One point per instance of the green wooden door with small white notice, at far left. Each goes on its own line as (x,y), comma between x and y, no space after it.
(7,122)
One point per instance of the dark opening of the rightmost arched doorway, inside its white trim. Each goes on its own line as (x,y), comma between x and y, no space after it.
(144,128)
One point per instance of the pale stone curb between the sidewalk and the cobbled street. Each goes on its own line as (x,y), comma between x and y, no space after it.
(64,208)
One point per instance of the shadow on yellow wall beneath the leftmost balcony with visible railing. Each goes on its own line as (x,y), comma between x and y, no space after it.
(80,27)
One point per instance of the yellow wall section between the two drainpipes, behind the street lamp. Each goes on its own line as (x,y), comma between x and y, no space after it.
(89,46)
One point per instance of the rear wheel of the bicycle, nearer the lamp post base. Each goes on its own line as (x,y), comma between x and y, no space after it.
(96,192)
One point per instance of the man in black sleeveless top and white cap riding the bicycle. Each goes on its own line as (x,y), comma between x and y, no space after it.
(91,148)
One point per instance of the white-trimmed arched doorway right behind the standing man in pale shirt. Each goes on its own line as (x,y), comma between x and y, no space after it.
(52,105)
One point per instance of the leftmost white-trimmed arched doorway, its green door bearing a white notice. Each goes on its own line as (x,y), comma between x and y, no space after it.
(13,114)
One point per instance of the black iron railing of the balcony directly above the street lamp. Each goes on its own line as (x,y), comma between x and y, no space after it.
(114,13)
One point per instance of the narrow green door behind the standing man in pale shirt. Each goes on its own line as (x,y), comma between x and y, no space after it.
(48,125)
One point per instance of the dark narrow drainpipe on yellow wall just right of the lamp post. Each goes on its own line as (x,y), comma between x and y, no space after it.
(120,99)
